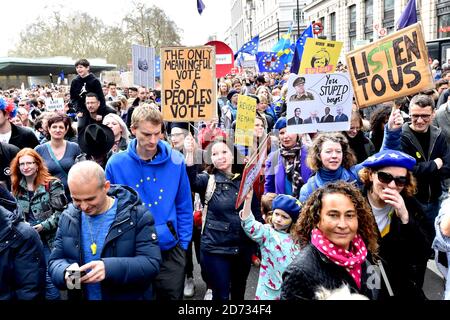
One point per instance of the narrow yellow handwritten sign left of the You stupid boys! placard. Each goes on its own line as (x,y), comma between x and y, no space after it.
(245,122)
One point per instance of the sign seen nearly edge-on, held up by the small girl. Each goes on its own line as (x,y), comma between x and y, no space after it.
(252,171)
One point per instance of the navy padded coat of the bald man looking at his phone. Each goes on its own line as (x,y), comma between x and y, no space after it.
(131,253)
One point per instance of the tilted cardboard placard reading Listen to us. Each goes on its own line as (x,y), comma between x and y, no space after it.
(392,67)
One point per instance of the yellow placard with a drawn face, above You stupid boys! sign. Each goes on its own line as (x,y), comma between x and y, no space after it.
(320,56)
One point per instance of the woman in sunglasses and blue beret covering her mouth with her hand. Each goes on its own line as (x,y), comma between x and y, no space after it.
(405,242)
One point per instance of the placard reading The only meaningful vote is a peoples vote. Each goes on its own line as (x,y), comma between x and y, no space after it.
(188,77)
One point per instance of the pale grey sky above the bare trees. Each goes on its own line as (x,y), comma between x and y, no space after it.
(196,28)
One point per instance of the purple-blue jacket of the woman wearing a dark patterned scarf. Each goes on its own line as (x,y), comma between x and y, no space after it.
(275,173)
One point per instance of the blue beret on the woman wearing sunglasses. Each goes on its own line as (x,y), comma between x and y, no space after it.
(390,158)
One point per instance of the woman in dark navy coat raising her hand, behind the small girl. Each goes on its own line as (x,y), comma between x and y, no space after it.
(225,249)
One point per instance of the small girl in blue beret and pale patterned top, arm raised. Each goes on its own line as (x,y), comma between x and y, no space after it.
(278,248)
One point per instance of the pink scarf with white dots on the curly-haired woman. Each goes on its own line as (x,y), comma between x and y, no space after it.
(350,260)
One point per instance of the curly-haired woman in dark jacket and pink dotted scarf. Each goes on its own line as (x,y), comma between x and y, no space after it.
(338,236)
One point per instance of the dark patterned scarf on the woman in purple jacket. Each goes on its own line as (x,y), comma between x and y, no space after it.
(291,162)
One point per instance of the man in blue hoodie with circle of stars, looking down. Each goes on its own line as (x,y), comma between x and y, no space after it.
(158,174)
